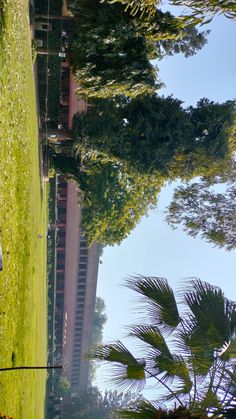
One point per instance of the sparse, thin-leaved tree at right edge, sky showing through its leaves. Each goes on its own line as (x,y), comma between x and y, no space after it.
(204,211)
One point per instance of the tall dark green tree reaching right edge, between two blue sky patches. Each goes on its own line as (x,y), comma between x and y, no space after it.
(156,134)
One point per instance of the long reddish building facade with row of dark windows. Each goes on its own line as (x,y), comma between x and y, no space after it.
(75,287)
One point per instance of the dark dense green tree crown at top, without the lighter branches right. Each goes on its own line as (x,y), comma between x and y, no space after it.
(107,54)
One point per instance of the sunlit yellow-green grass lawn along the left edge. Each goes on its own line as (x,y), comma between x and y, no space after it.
(22,223)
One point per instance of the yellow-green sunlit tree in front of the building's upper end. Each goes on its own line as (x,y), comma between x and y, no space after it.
(115,197)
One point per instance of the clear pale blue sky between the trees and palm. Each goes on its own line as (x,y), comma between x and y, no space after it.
(153,248)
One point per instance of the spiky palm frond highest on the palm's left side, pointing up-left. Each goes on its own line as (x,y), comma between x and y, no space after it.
(160,299)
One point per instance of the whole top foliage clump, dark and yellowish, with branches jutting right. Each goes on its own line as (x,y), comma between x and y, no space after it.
(111,47)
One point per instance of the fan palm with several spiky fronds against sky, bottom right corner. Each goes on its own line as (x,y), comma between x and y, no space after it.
(188,351)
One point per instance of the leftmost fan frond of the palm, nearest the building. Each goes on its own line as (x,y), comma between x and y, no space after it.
(129,372)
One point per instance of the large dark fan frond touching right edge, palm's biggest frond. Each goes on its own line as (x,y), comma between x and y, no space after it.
(214,314)
